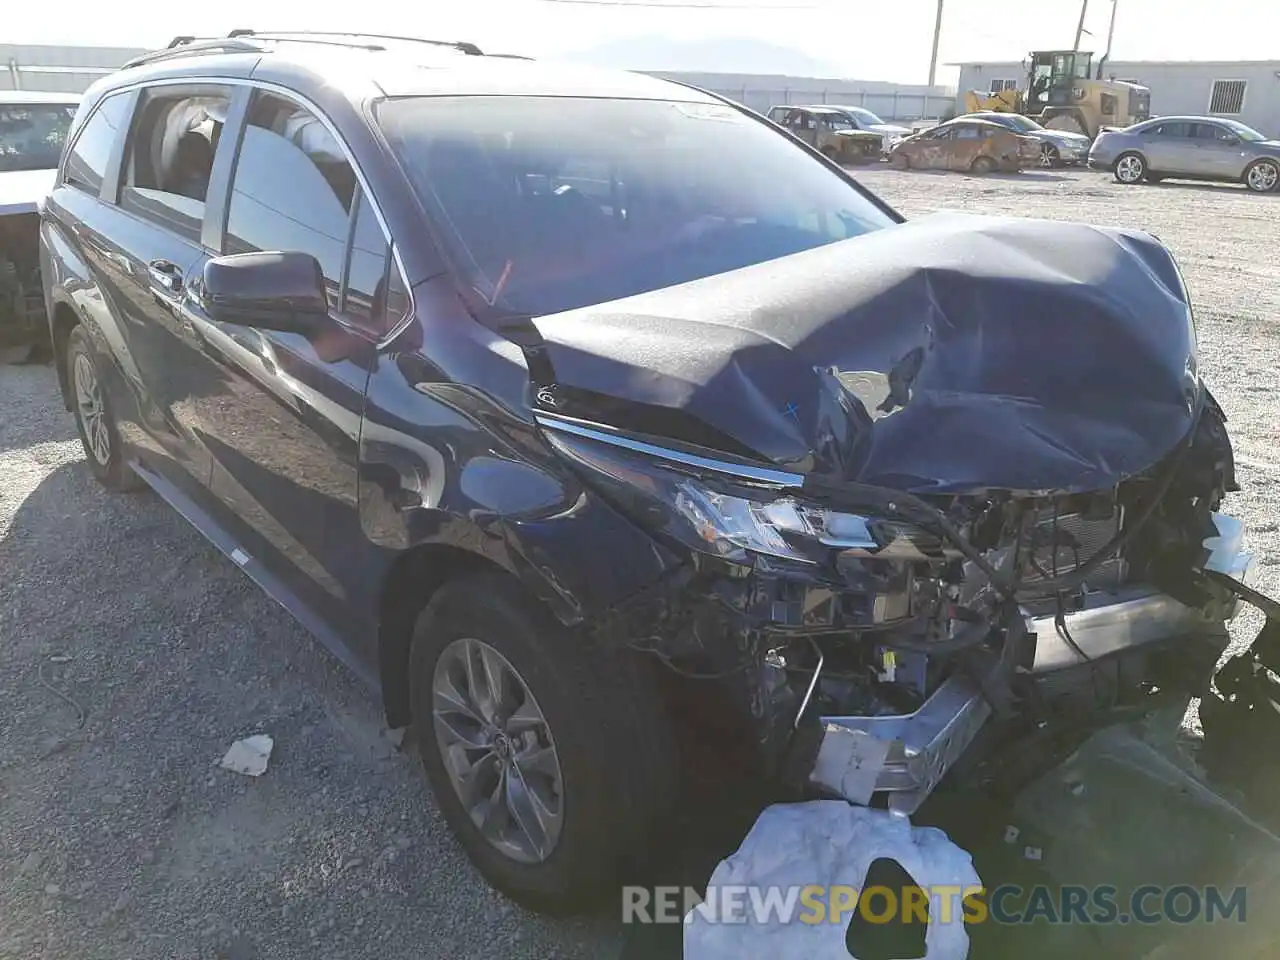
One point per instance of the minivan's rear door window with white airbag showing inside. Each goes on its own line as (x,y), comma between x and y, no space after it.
(171,157)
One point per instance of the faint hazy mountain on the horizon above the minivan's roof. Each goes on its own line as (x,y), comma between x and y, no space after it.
(715,56)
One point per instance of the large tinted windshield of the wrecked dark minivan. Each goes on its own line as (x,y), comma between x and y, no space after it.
(560,203)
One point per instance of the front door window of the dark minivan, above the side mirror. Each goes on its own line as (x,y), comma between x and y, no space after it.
(292,189)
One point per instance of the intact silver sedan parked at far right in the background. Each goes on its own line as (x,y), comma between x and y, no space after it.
(1190,148)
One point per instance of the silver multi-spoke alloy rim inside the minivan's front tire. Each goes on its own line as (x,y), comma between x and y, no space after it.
(499,751)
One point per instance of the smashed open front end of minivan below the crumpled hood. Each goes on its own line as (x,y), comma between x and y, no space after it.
(870,652)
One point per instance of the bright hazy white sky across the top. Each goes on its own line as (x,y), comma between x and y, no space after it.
(862,39)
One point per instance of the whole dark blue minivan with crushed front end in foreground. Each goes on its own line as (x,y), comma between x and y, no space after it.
(551,400)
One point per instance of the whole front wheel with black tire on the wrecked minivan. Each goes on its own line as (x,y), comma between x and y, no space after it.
(551,757)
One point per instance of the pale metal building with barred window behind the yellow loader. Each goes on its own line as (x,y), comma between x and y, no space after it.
(1245,90)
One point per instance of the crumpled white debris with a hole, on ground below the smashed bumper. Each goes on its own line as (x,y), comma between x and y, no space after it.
(826,844)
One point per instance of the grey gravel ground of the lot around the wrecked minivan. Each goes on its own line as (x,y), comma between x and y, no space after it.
(132,655)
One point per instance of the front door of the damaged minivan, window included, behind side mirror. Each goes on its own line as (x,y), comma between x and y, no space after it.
(284,423)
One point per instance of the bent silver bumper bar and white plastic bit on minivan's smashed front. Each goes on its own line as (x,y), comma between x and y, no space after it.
(907,756)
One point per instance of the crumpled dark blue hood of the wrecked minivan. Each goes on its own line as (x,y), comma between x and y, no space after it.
(945,355)
